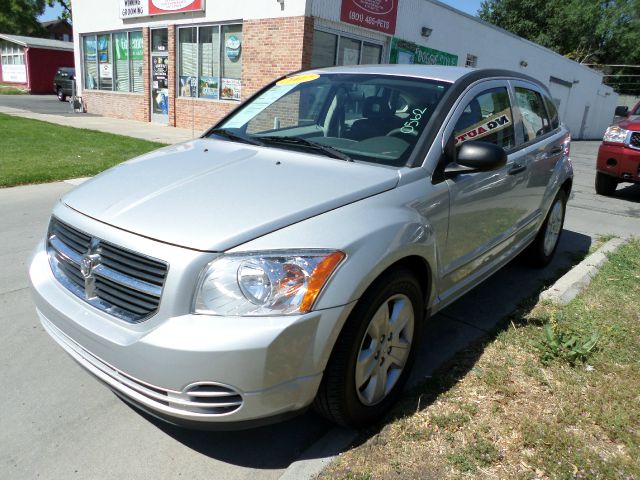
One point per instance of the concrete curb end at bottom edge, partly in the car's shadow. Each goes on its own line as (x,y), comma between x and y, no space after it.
(320,454)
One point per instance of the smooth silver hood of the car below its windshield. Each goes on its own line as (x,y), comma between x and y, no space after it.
(213,195)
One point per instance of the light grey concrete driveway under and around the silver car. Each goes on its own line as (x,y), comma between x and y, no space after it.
(59,423)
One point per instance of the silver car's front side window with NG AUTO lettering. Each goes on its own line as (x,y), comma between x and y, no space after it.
(488,117)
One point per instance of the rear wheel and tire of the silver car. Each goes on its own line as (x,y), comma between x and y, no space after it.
(542,249)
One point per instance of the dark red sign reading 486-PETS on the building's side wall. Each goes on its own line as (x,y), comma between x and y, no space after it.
(377,15)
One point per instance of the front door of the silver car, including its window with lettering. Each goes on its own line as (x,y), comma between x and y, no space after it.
(486,211)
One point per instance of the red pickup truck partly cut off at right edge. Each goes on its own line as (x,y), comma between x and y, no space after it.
(619,153)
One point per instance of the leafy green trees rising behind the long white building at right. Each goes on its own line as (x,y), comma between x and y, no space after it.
(595,32)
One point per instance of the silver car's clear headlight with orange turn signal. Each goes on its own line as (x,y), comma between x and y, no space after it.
(264,283)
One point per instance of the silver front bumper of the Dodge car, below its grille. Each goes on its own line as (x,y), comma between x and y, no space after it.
(243,370)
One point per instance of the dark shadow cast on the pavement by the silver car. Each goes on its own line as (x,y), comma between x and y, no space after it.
(452,339)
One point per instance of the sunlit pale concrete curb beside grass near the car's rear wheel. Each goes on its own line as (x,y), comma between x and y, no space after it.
(570,284)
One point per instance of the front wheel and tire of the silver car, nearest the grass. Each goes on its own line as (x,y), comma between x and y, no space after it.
(373,355)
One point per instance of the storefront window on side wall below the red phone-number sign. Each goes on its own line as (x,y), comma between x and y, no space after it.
(331,49)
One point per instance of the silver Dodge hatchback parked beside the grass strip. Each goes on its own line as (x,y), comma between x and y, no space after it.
(290,256)
